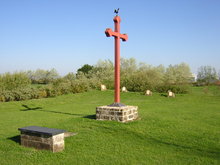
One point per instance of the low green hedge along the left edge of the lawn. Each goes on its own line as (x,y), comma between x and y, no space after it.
(60,87)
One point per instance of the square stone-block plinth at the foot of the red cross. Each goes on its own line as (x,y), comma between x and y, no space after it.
(121,114)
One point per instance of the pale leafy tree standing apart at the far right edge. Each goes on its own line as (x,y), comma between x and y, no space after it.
(207,75)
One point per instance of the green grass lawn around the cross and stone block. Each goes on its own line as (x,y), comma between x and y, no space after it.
(181,130)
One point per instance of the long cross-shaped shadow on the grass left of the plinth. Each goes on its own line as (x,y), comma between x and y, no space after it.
(27,108)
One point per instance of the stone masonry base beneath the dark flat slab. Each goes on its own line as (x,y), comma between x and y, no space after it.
(54,143)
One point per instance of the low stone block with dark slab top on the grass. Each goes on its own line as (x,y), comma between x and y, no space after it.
(42,138)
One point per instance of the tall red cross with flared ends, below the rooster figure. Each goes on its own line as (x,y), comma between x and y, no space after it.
(116,34)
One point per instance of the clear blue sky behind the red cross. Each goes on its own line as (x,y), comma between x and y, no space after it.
(66,34)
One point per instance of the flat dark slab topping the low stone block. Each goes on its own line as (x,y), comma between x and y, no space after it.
(41,130)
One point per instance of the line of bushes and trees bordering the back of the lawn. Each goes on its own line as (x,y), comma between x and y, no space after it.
(137,77)
